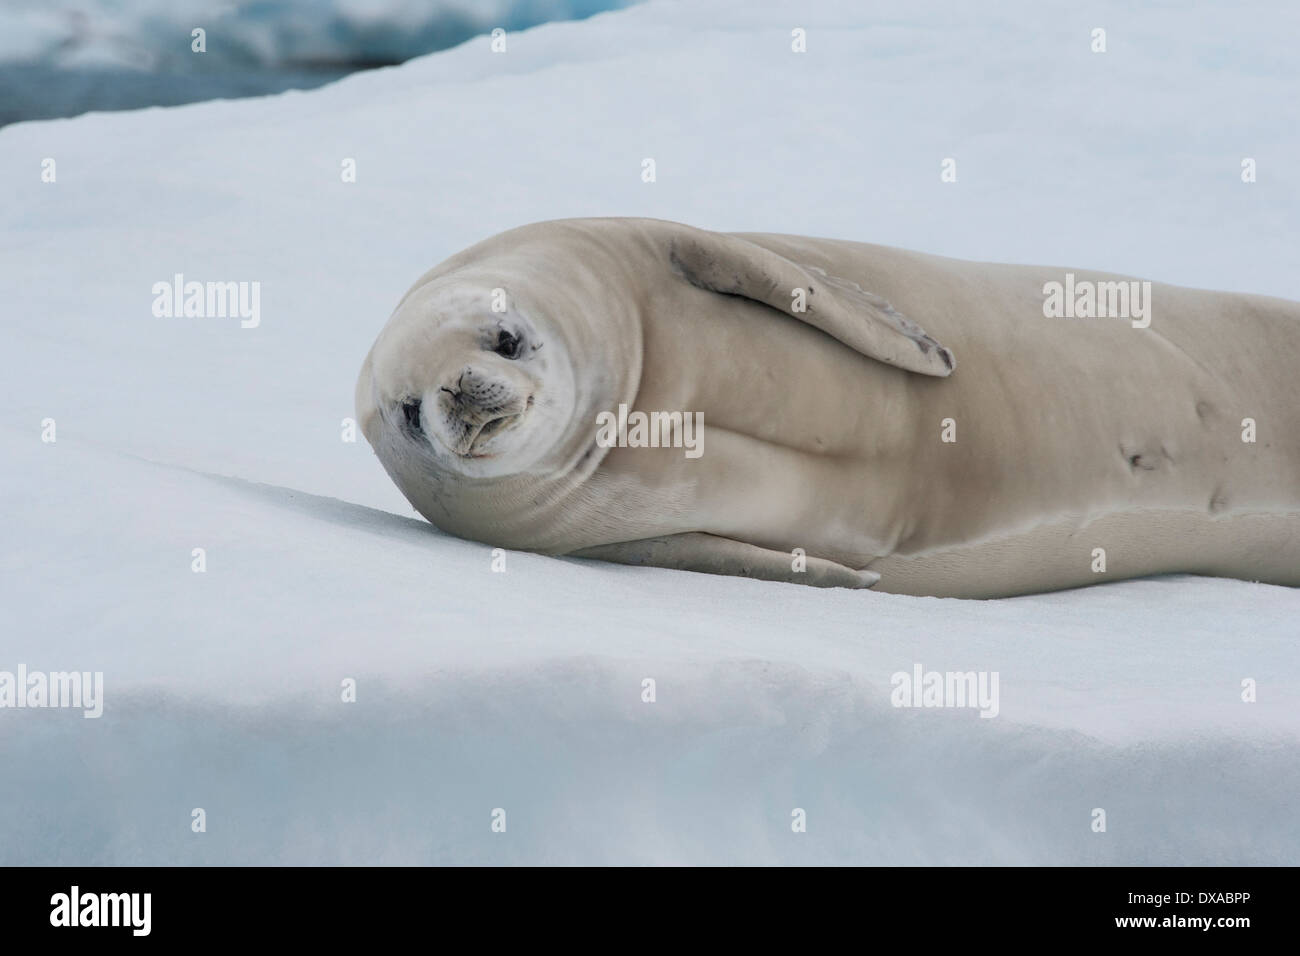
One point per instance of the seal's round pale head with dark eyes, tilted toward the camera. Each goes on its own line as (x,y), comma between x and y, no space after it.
(479,396)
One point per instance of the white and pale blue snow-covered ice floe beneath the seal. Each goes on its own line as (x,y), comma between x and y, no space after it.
(523,690)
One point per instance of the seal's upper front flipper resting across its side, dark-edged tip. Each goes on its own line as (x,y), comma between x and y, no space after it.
(843,310)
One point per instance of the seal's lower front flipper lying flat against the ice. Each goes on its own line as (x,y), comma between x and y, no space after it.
(722,556)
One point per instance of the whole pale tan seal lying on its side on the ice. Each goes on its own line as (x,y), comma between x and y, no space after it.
(866,412)
